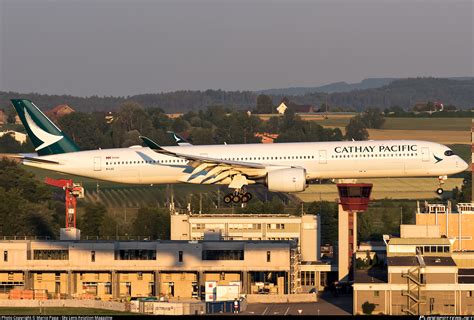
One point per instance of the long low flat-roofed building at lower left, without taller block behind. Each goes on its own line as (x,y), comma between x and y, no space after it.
(110,270)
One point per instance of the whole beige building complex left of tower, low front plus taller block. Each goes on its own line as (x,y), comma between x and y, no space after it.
(174,269)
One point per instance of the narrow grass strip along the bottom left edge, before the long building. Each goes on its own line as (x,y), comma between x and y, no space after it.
(60,311)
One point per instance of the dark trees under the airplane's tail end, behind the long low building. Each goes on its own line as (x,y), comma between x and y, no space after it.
(29,207)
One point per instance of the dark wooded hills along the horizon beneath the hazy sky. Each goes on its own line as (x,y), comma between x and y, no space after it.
(402,92)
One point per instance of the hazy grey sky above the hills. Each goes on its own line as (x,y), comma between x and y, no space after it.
(128,47)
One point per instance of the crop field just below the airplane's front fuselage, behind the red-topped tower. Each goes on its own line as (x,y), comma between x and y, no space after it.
(391,188)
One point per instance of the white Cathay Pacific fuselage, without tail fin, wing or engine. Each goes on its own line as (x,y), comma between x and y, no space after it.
(322,160)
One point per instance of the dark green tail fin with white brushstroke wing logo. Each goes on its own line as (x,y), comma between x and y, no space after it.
(44,134)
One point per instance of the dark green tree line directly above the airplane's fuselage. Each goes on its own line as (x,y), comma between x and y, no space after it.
(214,125)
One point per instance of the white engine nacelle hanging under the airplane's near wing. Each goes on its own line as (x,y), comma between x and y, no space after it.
(286,180)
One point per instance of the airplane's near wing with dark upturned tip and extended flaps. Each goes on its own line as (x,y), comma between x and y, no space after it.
(216,170)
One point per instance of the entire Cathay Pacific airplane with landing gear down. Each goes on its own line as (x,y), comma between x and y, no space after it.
(281,167)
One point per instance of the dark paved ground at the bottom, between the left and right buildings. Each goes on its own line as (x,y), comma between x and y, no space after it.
(327,305)
